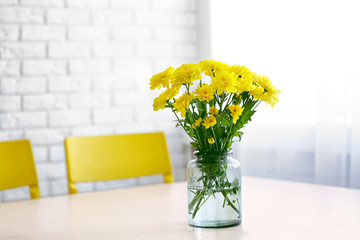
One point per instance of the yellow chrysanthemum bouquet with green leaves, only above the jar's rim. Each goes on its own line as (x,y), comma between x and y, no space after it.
(214,112)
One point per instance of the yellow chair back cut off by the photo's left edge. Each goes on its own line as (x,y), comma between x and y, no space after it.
(17,167)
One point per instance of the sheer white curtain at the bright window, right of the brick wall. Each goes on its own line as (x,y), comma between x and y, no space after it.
(310,50)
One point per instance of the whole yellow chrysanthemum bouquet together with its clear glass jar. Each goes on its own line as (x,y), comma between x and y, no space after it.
(215,101)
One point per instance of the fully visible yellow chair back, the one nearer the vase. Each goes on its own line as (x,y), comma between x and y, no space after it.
(100,158)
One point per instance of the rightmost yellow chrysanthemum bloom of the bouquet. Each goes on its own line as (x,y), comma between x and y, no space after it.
(265,91)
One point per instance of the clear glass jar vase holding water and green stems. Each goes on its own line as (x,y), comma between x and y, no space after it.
(214,190)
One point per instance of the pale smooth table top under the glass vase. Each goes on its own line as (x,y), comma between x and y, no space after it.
(271,210)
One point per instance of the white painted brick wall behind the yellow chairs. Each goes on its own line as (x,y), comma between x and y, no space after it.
(82,67)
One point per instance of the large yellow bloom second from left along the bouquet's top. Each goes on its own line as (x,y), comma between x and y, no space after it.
(186,74)
